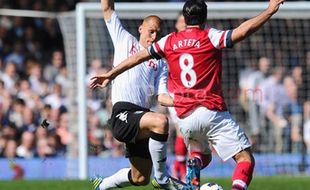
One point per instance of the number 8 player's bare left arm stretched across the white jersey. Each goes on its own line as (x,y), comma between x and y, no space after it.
(104,79)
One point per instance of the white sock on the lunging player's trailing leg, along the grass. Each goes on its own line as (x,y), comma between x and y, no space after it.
(118,180)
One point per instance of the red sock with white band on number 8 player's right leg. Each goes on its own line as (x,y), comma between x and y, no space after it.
(242,175)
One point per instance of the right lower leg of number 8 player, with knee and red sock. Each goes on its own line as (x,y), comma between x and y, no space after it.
(243,173)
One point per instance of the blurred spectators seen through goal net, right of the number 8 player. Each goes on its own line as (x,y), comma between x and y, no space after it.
(276,100)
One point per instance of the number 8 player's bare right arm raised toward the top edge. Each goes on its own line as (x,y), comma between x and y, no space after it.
(252,25)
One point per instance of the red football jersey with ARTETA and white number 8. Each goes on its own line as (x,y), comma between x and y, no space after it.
(194,59)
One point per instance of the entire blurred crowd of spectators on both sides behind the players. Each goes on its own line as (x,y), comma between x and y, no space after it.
(34,83)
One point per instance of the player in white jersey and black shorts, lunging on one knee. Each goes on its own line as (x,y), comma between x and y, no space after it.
(144,132)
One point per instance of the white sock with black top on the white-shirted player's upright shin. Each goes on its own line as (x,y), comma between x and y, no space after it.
(158,151)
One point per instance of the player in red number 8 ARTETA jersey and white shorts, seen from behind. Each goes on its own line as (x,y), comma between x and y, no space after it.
(195,66)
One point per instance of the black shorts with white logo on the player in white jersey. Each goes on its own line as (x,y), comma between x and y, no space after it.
(125,123)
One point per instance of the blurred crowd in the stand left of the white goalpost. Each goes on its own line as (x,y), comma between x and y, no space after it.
(33,78)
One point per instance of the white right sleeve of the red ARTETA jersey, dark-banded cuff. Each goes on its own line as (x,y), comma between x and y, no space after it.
(220,38)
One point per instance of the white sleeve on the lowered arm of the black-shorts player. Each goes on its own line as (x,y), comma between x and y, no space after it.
(161,78)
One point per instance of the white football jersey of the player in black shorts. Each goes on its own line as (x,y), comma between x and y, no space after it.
(142,83)
